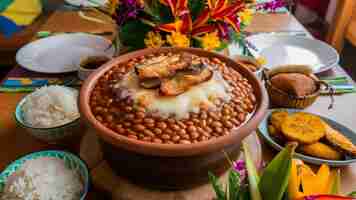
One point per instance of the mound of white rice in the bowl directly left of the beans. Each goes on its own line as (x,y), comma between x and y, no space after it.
(50,107)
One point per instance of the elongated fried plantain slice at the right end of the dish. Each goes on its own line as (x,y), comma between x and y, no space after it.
(340,141)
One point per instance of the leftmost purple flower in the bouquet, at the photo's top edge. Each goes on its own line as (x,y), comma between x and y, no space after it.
(128,9)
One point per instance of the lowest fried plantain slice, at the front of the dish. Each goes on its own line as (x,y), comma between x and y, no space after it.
(321,150)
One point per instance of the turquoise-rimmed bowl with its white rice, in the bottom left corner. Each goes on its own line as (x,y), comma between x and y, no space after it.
(44,175)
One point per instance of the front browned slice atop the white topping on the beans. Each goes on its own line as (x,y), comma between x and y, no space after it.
(181,83)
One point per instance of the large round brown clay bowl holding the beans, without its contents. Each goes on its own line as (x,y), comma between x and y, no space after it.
(168,166)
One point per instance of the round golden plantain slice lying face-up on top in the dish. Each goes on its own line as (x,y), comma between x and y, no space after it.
(303,127)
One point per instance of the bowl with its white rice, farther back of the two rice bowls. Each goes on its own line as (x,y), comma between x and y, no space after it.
(51,114)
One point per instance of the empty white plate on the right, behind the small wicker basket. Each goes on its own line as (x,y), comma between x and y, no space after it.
(293,50)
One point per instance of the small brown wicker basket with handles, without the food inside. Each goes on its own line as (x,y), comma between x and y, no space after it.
(282,99)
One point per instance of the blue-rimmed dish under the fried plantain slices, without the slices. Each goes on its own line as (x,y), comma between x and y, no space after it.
(263,131)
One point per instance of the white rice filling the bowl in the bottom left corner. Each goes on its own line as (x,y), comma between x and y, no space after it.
(45,178)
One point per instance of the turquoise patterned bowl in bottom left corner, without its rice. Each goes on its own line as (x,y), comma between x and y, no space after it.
(71,161)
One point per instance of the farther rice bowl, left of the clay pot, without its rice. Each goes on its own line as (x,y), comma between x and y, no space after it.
(53,135)
